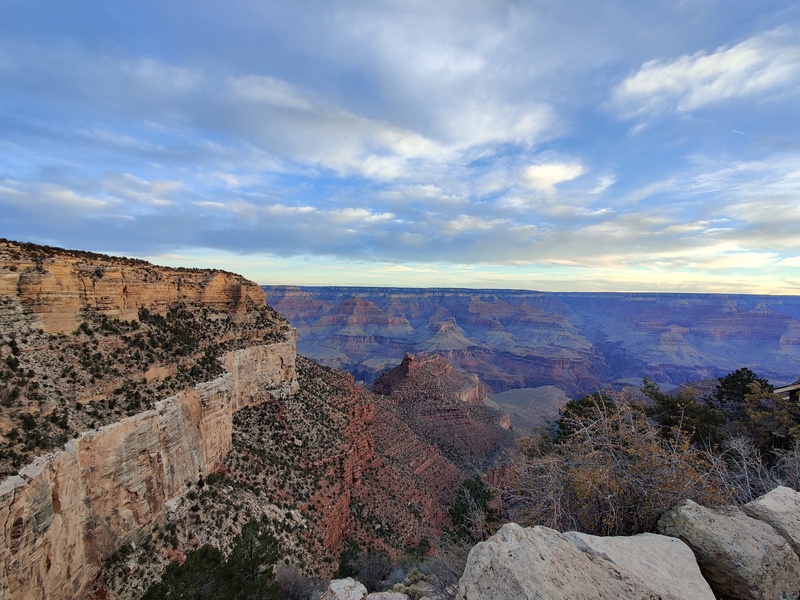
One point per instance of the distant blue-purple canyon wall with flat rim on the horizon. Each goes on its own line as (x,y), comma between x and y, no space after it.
(516,339)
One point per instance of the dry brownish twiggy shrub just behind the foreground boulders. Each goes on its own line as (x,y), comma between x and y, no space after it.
(615,473)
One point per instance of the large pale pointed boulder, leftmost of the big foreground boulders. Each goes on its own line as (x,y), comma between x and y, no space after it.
(539,562)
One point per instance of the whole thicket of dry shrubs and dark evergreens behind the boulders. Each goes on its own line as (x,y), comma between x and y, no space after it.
(613,464)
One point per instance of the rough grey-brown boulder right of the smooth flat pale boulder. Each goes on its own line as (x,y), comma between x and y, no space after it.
(740,557)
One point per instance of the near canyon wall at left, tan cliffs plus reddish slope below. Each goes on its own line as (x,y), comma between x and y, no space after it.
(146,411)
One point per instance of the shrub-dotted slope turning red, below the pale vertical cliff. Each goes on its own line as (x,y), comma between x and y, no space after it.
(329,465)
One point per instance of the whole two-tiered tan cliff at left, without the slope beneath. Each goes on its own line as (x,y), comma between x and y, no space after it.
(157,360)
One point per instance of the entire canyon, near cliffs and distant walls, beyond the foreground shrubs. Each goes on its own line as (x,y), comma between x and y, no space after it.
(148,411)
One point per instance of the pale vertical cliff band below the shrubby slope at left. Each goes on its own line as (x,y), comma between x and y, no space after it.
(67,512)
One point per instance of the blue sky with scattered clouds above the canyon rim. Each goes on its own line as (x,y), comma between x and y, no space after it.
(539,144)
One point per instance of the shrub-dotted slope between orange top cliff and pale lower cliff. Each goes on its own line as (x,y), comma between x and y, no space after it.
(53,387)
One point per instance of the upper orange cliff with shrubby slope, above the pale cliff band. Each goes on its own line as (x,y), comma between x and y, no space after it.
(58,379)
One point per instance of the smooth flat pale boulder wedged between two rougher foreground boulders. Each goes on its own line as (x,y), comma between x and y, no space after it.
(667,564)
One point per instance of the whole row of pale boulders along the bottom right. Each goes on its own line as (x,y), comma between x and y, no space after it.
(704,553)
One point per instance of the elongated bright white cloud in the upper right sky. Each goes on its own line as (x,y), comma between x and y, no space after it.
(764,64)
